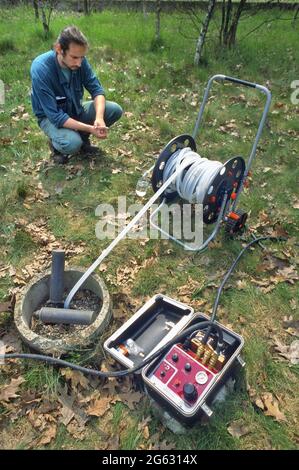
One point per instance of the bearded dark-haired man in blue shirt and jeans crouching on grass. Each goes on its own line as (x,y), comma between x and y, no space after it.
(58,81)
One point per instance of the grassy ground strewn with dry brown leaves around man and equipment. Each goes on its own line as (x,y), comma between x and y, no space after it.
(44,206)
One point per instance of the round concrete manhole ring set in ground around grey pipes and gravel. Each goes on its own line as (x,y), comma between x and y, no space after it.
(36,294)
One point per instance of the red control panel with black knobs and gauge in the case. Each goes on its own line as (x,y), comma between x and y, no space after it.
(182,378)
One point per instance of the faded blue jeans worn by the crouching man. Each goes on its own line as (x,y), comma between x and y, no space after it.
(68,141)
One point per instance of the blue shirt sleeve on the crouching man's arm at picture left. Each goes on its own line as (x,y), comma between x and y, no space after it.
(47,101)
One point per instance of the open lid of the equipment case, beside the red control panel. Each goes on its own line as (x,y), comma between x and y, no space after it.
(154,324)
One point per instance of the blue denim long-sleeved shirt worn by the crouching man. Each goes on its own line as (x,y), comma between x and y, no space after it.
(53,96)
